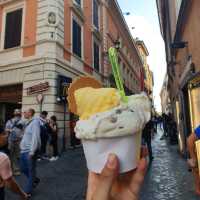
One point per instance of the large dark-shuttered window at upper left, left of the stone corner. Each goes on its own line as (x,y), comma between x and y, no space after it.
(13,29)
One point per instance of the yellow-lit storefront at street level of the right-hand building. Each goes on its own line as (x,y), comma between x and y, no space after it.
(188,109)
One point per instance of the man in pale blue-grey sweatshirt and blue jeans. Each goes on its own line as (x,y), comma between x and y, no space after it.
(29,147)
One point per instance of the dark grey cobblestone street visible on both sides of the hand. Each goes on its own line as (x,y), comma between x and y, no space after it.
(65,179)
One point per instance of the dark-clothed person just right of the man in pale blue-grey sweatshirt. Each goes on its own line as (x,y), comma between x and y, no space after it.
(44,129)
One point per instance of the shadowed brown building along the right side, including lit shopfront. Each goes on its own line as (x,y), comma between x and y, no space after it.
(178,23)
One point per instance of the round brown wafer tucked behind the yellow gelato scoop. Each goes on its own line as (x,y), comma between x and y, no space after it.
(81,82)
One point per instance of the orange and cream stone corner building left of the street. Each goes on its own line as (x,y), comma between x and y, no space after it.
(45,44)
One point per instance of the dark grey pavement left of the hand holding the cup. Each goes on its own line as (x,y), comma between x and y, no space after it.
(64,179)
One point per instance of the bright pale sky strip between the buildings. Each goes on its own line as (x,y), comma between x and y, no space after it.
(143,17)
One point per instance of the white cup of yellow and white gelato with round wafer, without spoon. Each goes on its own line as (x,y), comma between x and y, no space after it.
(107,124)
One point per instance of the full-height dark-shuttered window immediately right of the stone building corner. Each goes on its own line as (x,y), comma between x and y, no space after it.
(77,45)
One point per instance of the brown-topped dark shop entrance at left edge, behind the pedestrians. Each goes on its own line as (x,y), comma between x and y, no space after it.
(10,99)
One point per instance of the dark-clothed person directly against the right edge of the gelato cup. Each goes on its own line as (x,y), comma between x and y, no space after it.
(147,136)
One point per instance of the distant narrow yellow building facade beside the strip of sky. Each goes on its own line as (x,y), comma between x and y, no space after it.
(148,74)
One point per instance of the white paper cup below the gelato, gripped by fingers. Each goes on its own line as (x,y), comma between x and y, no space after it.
(126,148)
